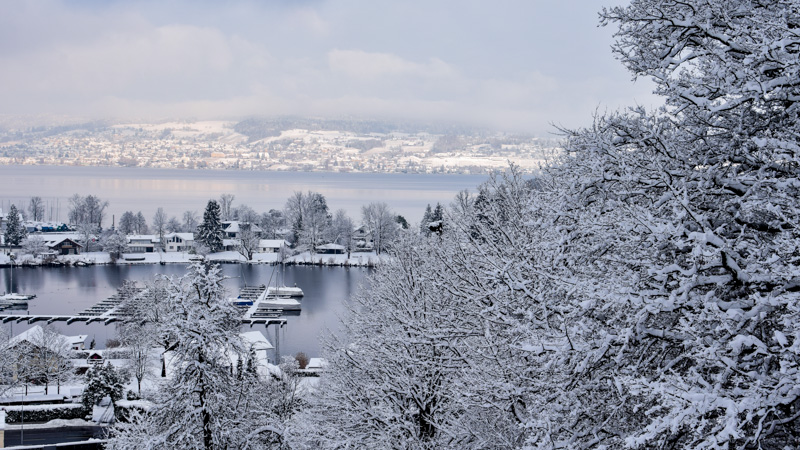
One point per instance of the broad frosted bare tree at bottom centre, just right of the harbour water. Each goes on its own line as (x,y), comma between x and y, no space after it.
(393,370)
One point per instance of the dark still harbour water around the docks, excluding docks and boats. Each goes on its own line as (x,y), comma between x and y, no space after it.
(68,290)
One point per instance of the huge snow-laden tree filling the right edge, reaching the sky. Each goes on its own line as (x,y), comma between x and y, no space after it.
(696,204)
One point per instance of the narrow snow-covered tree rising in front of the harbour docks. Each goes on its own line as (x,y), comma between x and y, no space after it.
(204,405)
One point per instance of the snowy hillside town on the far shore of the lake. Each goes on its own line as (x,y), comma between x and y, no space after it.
(276,145)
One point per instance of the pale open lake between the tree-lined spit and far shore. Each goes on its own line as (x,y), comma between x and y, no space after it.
(142,189)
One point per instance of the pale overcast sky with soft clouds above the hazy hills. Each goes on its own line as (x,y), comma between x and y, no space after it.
(512,65)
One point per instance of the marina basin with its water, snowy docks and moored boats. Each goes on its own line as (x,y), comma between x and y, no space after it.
(80,300)
